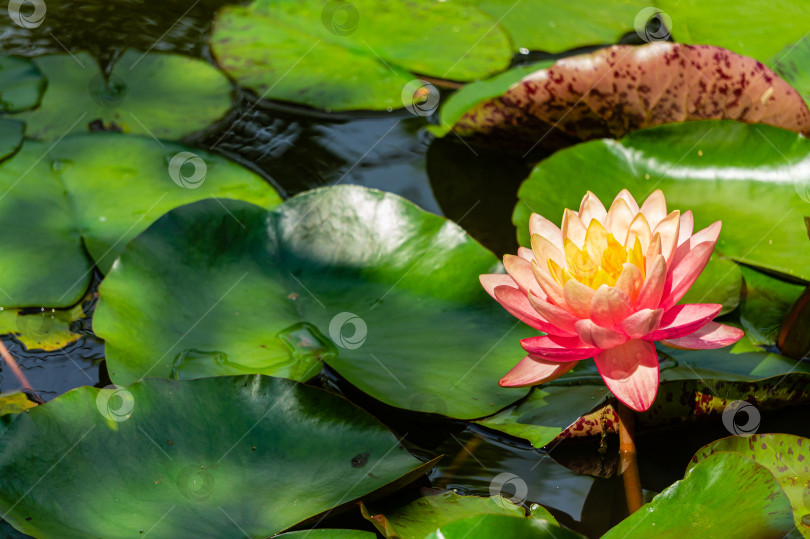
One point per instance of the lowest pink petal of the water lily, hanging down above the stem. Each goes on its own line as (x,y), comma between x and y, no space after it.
(631,373)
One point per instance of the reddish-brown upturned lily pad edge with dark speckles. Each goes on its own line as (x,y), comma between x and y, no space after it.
(622,88)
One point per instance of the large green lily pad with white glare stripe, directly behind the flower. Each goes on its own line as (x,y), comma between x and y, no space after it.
(752,177)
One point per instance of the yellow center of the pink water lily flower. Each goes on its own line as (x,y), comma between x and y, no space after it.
(600,261)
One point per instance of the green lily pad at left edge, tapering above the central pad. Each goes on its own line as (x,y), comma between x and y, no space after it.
(92,194)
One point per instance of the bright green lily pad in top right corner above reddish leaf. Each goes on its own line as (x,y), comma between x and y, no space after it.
(744,26)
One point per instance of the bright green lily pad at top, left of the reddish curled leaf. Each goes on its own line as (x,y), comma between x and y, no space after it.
(355,55)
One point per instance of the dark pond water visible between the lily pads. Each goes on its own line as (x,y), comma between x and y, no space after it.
(297,149)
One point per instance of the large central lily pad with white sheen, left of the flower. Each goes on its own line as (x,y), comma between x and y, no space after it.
(382,291)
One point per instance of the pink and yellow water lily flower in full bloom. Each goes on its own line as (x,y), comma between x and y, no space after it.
(606,285)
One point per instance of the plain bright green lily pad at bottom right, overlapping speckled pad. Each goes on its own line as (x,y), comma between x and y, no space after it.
(721,496)
